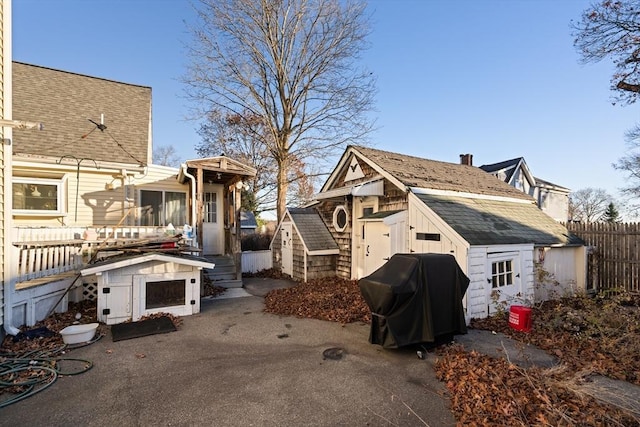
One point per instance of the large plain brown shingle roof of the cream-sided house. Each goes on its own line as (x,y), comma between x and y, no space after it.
(65,102)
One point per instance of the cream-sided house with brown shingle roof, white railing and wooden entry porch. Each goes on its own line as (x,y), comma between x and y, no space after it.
(86,181)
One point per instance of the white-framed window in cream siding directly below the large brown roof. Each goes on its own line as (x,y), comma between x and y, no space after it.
(38,196)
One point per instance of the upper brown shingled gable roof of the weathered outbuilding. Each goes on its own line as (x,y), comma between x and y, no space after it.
(417,172)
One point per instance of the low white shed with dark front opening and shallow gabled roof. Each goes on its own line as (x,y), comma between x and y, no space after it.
(135,286)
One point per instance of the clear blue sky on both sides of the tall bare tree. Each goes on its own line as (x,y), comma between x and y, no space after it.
(498,79)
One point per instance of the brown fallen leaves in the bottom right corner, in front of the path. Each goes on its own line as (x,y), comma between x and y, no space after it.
(491,391)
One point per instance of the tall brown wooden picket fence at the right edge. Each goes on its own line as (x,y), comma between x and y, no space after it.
(614,255)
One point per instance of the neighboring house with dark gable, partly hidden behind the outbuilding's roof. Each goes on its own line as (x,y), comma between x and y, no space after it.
(553,199)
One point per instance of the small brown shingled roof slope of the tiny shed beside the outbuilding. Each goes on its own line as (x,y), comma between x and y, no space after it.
(315,235)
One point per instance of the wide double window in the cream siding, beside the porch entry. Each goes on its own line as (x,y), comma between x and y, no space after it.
(161,208)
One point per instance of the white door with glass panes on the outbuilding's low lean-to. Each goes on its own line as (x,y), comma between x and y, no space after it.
(503,281)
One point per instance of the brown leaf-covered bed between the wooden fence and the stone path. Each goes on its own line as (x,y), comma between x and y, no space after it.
(600,334)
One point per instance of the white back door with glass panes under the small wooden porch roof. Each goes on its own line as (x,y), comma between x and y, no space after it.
(213,224)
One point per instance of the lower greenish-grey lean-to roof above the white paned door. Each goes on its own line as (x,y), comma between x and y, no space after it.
(493,222)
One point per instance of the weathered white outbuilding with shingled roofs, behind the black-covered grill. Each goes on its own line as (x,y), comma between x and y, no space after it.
(377,203)
